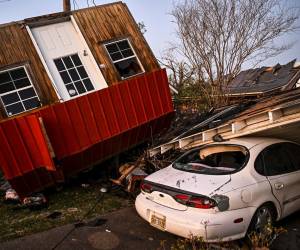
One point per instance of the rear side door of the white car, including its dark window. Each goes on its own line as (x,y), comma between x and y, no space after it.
(282,171)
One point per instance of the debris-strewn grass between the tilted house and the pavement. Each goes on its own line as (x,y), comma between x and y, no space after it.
(73,202)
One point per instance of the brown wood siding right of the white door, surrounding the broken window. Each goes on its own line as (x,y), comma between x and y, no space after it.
(108,23)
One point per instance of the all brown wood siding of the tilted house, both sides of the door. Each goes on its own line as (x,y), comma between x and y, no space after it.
(98,25)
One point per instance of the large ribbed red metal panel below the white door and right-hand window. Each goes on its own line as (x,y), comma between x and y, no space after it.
(84,121)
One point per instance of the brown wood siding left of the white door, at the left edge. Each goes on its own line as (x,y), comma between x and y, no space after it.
(16,49)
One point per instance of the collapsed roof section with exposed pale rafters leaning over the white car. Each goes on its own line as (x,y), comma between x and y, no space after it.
(276,116)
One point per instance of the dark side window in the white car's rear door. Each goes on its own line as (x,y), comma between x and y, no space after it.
(277,160)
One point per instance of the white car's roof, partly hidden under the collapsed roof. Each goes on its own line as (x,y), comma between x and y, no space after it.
(250,142)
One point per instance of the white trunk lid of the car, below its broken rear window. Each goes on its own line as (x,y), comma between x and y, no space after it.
(192,182)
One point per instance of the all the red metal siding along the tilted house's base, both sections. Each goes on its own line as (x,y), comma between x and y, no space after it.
(85,130)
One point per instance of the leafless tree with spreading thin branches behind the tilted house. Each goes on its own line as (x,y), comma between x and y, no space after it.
(216,37)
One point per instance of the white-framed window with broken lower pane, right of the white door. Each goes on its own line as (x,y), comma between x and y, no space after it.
(124,58)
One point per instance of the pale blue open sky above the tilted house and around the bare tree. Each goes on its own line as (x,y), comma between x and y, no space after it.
(154,13)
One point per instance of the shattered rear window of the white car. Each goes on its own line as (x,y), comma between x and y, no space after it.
(213,160)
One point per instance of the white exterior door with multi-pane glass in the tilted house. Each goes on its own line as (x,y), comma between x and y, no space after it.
(68,59)
